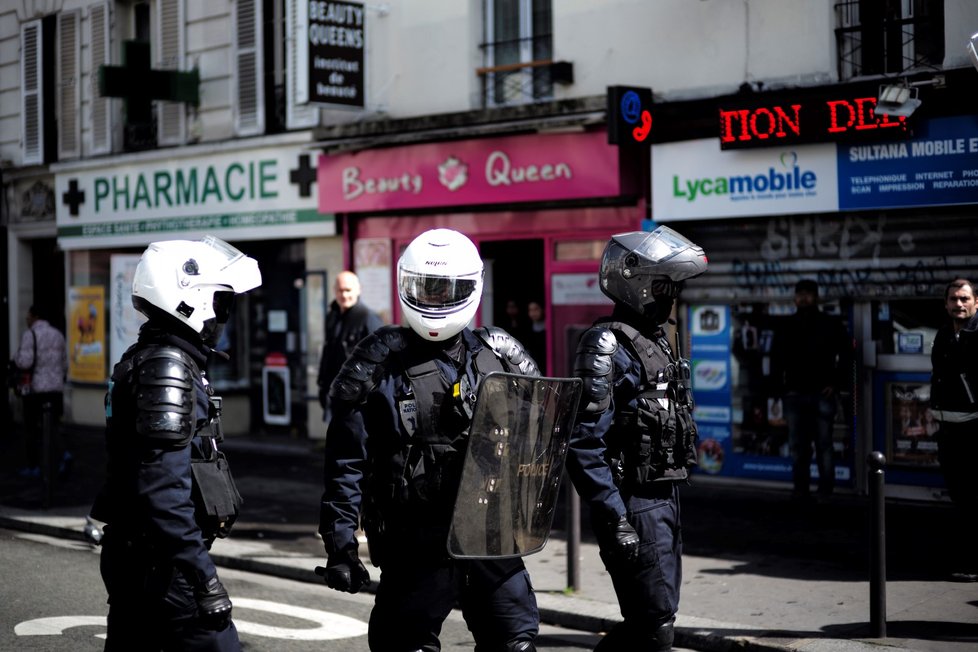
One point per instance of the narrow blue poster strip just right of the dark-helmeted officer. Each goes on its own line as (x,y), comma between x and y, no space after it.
(710,377)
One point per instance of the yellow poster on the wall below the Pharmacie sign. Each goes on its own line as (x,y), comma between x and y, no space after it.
(86,334)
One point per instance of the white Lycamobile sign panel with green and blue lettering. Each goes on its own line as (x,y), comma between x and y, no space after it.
(693,179)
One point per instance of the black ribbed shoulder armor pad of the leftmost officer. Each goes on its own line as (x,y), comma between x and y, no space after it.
(163,387)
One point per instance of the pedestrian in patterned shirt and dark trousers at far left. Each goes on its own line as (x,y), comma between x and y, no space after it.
(42,353)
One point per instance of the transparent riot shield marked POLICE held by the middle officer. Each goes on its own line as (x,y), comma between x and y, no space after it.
(513,464)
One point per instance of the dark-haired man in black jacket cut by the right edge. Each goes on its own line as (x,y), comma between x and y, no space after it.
(954,402)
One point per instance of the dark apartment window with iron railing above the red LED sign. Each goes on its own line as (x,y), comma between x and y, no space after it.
(881,37)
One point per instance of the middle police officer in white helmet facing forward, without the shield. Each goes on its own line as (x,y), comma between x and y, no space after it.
(402,406)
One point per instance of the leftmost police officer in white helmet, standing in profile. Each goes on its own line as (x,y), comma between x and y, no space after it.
(168,491)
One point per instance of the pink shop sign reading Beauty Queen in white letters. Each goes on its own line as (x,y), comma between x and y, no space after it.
(530,168)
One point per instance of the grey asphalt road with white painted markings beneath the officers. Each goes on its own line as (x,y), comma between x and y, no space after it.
(54,600)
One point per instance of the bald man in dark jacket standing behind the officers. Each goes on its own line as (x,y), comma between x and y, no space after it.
(347,322)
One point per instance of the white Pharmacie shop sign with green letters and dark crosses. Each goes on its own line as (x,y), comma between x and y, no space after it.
(245,195)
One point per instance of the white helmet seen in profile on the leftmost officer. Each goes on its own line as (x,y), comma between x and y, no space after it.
(194,282)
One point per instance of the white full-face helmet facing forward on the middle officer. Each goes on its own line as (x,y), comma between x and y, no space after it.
(439,283)
